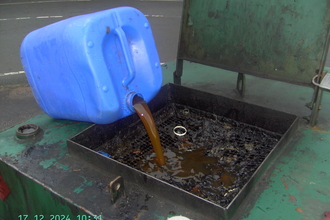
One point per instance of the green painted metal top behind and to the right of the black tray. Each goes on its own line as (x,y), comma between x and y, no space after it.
(298,186)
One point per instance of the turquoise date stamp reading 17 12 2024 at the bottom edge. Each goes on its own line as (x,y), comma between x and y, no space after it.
(59,217)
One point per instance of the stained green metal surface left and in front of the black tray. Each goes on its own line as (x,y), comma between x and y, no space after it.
(45,180)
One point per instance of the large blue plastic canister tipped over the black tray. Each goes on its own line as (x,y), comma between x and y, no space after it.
(89,67)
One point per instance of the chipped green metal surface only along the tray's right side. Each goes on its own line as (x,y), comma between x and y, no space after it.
(299,185)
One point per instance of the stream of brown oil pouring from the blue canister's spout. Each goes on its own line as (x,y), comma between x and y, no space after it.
(145,115)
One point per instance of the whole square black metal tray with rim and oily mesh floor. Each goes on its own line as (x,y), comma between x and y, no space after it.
(217,151)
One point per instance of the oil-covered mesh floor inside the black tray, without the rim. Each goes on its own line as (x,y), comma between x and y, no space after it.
(214,159)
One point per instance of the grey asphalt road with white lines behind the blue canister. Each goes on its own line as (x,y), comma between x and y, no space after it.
(19,17)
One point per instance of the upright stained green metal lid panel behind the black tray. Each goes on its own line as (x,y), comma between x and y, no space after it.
(283,40)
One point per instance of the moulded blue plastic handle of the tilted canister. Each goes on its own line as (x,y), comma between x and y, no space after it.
(127,53)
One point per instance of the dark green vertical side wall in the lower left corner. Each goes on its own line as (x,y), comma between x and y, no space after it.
(31,200)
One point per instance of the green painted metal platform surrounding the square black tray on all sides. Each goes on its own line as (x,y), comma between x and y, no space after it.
(46,180)
